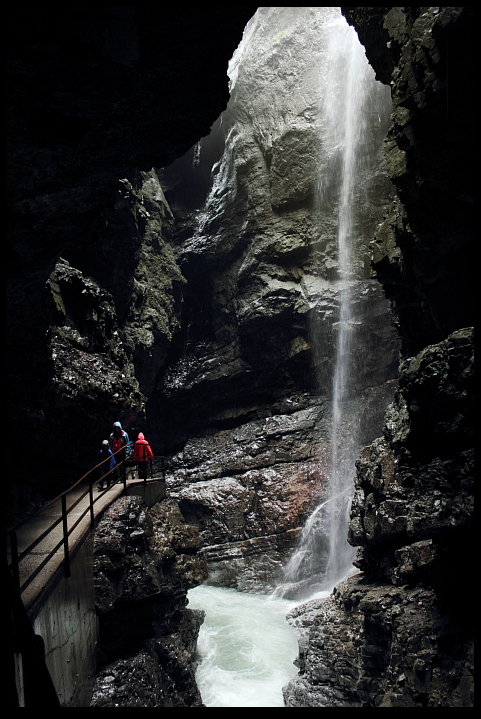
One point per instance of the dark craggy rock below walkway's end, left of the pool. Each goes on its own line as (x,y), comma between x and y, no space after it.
(145,560)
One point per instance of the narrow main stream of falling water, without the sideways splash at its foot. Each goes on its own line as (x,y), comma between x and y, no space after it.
(345,114)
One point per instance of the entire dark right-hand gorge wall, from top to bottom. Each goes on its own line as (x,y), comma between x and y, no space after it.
(400,634)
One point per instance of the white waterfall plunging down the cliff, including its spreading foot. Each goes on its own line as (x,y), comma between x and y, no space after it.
(351,107)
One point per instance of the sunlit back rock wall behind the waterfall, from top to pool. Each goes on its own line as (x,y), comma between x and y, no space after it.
(245,402)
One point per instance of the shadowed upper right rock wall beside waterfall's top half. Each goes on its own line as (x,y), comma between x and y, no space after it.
(421,249)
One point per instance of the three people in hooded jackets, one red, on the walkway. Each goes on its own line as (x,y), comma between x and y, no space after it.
(119,448)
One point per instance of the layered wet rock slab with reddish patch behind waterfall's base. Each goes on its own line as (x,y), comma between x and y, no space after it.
(250,489)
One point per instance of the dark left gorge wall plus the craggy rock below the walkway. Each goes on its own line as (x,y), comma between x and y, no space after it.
(97,97)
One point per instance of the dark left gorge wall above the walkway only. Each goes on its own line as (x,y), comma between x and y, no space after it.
(98,96)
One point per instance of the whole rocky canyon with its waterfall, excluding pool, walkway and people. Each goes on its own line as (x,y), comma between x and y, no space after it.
(248,234)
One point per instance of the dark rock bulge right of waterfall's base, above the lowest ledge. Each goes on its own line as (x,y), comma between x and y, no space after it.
(412,513)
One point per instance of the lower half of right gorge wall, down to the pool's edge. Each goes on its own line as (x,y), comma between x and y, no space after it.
(399,634)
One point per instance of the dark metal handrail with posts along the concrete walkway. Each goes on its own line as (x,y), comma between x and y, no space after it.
(16,558)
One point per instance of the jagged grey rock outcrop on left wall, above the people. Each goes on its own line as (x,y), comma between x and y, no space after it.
(109,332)
